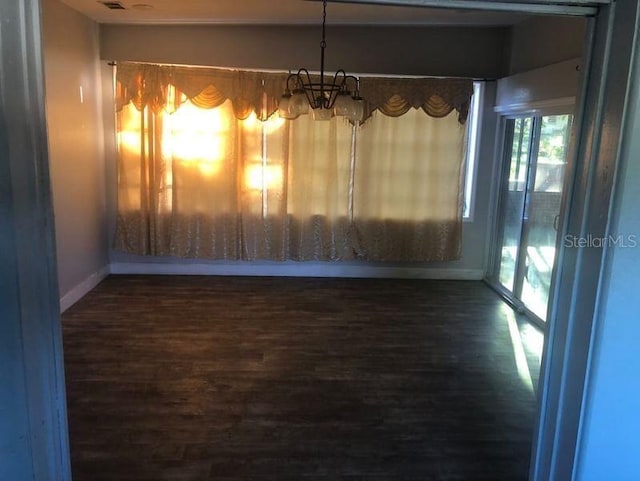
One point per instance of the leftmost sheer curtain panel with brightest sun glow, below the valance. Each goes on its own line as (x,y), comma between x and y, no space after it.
(177,182)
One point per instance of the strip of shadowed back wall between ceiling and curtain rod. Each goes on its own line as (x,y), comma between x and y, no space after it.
(478,52)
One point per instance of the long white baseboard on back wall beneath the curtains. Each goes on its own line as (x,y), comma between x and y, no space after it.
(296,270)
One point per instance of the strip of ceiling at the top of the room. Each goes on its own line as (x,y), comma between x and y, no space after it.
(282,12)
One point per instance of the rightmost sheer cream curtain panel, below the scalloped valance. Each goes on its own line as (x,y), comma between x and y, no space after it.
(408,187)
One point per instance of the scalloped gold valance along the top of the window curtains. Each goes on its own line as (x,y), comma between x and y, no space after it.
(148,85)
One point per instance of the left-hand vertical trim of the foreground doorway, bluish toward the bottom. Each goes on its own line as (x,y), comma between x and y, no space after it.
(33,441)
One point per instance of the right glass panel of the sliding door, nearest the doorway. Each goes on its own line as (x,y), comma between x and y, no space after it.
(543,211)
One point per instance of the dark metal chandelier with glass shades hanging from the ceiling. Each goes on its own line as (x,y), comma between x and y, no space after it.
(325,97)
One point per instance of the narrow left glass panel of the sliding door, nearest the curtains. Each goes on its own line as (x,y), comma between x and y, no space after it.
(513,200)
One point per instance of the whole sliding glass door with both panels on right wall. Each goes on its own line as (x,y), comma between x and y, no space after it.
(529,208)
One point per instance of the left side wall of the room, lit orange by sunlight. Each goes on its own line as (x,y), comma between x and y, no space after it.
(74,121)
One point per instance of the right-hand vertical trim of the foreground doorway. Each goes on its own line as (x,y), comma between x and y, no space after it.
(593,160)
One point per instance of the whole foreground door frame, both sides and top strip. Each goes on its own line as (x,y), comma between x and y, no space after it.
(33,305)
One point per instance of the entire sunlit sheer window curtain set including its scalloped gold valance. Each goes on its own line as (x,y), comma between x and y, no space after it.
(207,170)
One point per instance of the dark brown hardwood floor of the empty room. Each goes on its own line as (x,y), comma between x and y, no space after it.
(224,378)
